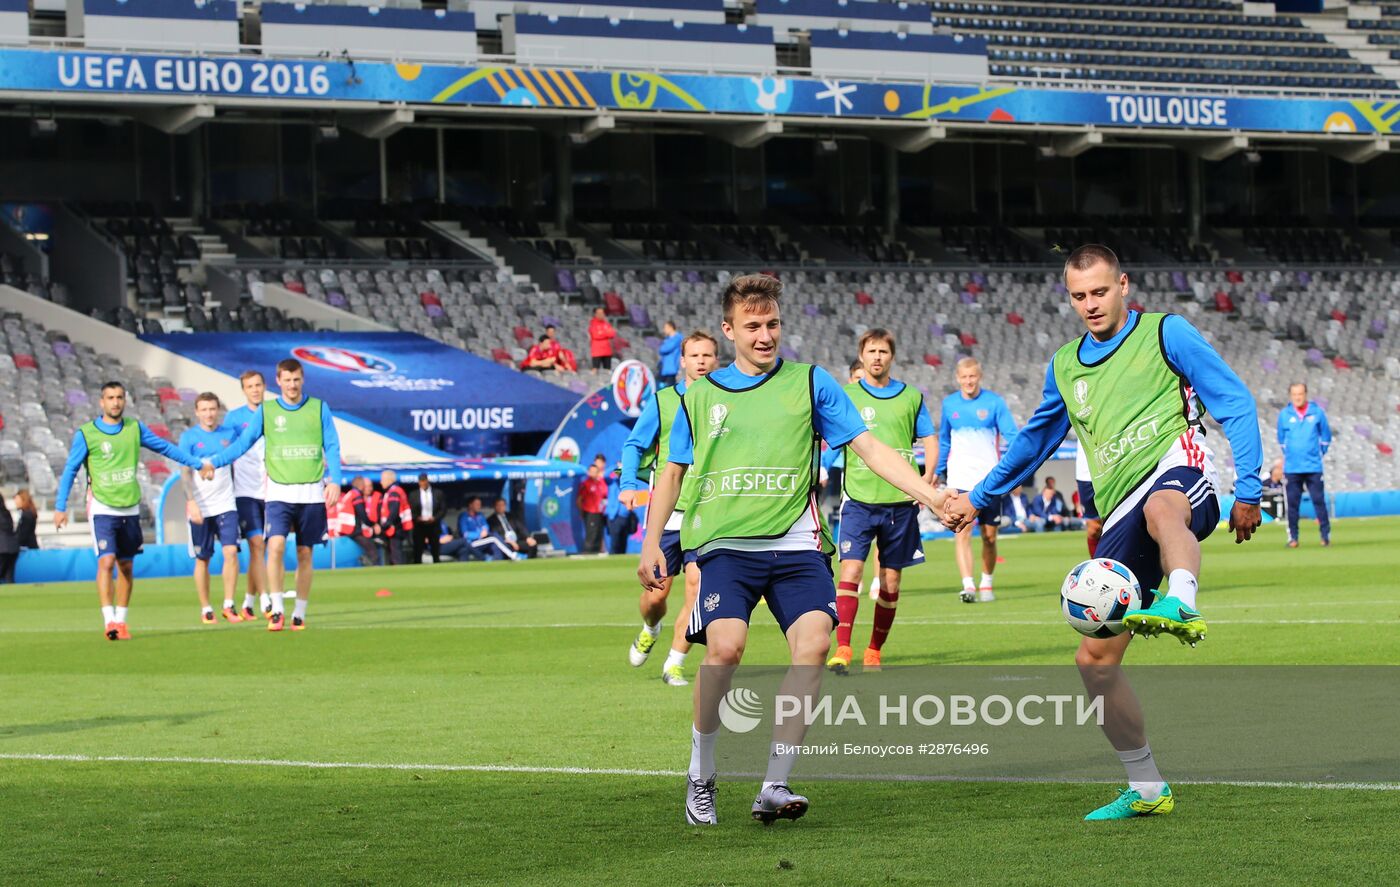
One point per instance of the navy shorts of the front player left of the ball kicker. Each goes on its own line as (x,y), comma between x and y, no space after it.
(731,584)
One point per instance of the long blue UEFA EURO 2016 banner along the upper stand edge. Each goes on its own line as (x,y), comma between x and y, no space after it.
(293,82)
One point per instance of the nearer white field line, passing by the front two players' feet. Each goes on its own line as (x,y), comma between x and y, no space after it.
(619,772)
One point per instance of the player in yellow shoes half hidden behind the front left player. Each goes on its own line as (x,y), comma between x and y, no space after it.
(649,447)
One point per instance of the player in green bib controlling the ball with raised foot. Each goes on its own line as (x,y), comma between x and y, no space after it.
(1132,388)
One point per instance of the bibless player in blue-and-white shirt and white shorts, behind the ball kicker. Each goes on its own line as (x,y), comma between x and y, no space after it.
(974,430)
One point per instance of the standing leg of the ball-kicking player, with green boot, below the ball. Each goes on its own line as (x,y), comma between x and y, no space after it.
(1100,662)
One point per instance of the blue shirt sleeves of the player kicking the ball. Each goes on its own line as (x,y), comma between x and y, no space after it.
(1223,394)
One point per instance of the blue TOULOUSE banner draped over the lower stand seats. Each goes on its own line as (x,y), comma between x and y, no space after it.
(400,383)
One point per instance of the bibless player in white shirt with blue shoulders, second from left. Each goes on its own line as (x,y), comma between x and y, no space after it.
(213,517)
